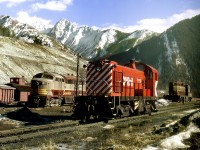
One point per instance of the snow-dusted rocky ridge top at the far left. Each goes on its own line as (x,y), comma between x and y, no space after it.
(25,31)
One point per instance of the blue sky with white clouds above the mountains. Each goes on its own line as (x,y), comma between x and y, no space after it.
(126,15)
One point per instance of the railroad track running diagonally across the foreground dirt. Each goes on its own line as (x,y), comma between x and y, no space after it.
(26,133)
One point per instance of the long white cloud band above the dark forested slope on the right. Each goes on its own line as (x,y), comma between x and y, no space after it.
(158,24)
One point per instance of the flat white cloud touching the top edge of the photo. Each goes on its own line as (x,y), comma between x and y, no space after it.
(54,5)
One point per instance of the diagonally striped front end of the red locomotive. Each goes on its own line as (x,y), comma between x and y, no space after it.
(99,82)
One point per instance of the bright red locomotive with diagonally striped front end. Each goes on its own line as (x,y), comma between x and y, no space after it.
(114,90)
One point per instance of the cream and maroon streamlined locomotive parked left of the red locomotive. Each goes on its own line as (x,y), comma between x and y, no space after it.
(52,88)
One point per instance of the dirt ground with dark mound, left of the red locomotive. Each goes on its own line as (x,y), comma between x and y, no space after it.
(14,117)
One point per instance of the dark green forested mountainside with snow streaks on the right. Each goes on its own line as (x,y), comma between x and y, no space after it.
(175,53)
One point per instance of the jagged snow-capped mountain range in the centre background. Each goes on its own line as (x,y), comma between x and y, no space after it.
(93,43)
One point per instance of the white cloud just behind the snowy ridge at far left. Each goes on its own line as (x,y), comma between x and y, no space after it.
(36,22)
